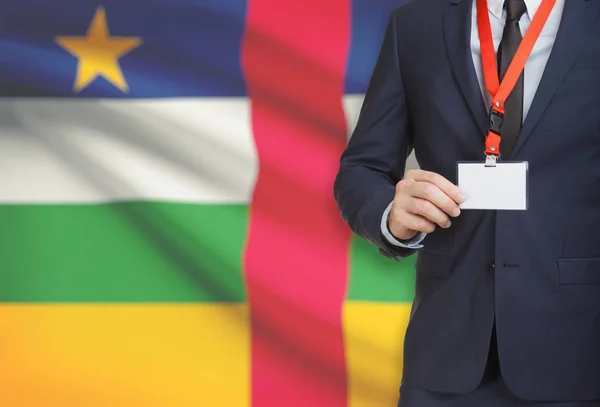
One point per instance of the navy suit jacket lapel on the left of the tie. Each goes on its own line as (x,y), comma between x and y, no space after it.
(457,34)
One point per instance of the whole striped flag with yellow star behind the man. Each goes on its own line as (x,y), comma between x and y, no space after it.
(169,235)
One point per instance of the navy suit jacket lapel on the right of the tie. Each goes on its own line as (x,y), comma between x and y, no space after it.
(577,20)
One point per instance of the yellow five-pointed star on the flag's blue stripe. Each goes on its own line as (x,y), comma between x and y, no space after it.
(98,53)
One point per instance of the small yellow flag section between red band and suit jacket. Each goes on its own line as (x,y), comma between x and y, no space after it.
(374,335)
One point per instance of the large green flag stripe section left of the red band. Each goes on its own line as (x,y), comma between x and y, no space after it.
(125,252)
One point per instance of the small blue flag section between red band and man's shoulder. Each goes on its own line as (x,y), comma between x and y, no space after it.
(369,20)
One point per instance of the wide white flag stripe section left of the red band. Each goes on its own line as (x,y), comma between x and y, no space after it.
(91,151)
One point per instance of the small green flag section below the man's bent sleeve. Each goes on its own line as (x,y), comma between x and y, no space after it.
(374,277)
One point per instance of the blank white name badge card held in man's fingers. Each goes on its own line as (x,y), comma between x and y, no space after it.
(499,187)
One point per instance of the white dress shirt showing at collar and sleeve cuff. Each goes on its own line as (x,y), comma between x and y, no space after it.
(534,68)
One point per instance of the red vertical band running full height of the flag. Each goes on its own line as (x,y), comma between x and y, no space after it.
(294,59)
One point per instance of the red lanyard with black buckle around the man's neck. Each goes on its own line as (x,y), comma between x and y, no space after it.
(501,91)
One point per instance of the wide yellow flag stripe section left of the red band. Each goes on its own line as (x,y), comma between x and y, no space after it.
(124,355)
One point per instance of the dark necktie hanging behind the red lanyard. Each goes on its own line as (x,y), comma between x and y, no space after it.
(513,106)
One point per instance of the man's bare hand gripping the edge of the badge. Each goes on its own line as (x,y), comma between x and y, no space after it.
(423,200)
